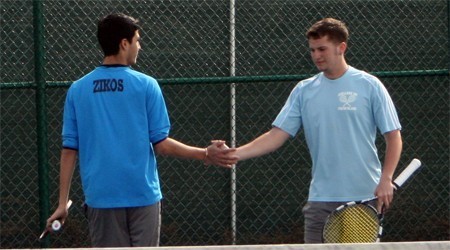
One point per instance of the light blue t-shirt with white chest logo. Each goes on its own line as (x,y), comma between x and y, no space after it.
(340,119)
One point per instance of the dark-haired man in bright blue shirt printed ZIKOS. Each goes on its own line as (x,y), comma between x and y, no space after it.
(115,121)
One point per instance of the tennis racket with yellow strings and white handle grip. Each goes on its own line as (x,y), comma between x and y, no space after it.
(358,221)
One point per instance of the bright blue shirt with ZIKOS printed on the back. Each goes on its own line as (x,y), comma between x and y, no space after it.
(112,116)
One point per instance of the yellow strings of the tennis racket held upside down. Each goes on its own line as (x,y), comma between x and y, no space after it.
(352,224)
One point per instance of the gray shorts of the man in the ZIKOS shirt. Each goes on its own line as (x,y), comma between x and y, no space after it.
(125,227)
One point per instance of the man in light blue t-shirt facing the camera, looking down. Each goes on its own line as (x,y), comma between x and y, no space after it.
(340,110)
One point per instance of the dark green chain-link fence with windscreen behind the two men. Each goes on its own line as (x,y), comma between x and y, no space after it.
(226,68)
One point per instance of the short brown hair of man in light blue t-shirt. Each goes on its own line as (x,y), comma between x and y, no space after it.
(336,30)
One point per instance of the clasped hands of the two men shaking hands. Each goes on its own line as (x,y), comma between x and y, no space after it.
(218,153)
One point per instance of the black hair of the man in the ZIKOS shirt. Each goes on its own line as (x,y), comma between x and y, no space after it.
(112,29)
